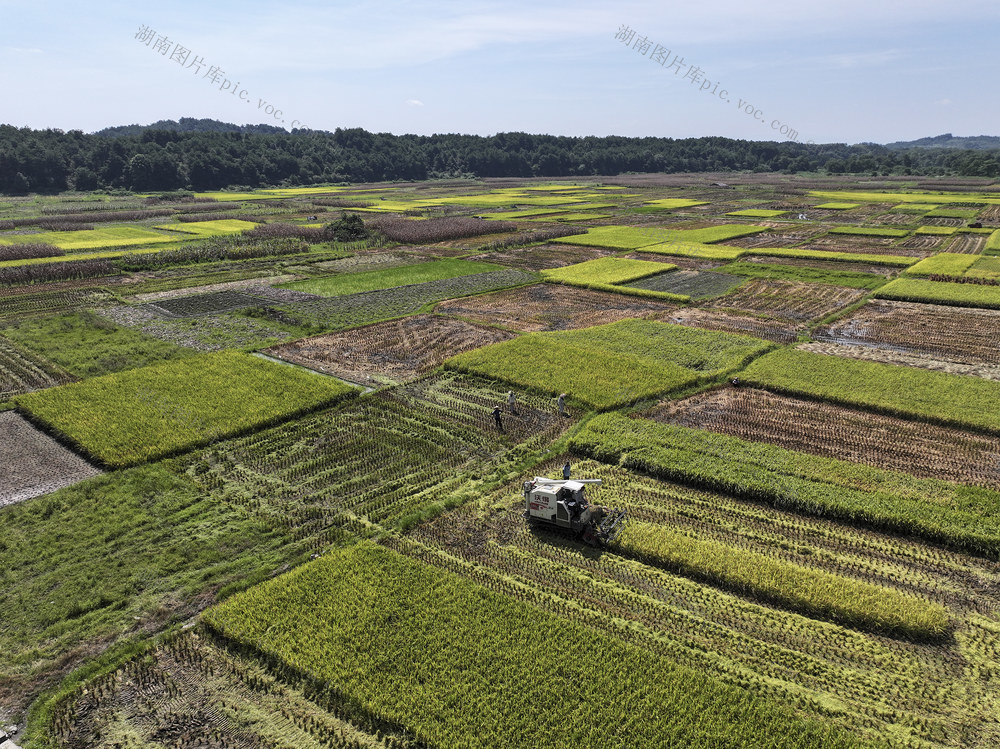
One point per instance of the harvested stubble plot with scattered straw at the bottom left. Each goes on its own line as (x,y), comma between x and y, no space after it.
(194,691)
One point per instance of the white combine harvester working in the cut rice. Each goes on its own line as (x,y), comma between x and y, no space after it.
(560,504)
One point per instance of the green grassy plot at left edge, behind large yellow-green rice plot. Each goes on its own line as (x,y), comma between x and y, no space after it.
(87,345)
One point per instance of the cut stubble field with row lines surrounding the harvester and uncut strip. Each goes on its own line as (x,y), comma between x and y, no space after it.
(872,684)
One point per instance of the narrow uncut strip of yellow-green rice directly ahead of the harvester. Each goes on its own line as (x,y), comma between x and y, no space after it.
(813,592)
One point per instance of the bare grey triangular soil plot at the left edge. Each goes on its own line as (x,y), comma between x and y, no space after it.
(32,463)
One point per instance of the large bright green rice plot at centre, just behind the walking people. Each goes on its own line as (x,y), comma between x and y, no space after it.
(612,365)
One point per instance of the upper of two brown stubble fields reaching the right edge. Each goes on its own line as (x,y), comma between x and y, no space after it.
(966,336)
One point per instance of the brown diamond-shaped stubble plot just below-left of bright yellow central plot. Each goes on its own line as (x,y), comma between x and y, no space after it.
(547,307)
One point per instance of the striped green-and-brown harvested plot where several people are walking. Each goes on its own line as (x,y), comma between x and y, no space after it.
(387,458)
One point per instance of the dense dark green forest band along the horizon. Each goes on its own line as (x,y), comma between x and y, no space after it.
(210,155)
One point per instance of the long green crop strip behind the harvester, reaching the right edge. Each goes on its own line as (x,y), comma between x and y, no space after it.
(963,516)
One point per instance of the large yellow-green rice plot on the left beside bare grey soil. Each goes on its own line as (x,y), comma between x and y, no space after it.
(143,414)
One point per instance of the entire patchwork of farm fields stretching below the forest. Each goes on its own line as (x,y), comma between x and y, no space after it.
(263,488)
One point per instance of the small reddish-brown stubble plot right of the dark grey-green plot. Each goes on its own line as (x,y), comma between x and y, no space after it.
(791,300)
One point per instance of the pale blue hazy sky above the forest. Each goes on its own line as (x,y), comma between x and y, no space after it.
(844,71)
